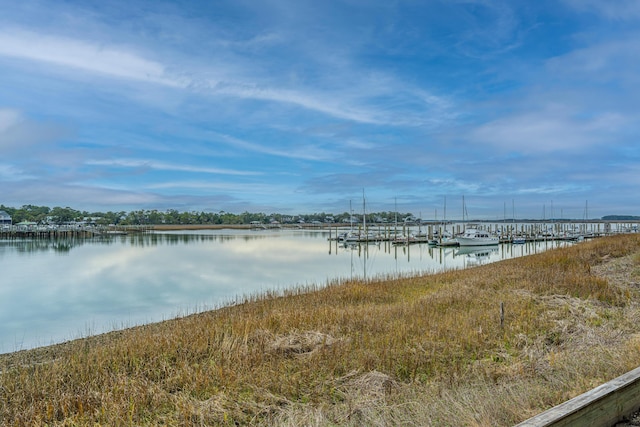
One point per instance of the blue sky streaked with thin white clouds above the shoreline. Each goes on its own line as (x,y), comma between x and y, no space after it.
(300,106)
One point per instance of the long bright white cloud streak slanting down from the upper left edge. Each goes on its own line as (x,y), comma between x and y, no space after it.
(121,62)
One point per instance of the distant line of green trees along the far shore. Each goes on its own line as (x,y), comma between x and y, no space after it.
(59,215)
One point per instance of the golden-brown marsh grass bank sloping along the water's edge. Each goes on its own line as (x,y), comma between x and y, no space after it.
(418,351)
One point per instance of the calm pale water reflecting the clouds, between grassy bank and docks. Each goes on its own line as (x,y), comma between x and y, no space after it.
(52,291)
